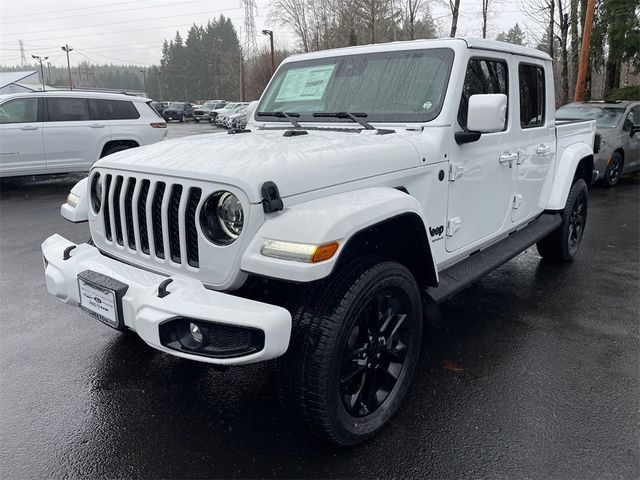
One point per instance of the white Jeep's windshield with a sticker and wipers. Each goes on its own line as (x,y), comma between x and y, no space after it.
(403,86)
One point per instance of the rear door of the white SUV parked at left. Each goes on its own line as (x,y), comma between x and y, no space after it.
(74,134)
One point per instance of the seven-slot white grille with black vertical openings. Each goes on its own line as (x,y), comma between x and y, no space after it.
(155,218)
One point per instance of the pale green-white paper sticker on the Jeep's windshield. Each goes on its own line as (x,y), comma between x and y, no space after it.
(305,83)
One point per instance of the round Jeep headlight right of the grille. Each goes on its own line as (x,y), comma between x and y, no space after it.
(222,218)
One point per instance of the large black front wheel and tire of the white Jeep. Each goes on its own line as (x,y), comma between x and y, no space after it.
(342,345)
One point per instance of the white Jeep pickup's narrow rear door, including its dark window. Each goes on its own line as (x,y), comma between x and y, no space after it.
(535,136)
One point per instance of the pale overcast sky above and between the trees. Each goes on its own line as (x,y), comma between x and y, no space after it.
(132,32)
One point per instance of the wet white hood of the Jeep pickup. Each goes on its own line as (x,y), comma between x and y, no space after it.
(296,164)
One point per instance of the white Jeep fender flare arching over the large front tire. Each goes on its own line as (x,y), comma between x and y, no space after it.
(319,222)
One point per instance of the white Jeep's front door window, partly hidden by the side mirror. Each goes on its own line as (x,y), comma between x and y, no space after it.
(483,76)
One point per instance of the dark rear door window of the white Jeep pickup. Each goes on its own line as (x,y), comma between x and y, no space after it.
(532,95)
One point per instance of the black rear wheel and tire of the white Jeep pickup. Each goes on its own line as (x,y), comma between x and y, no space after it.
(563,243)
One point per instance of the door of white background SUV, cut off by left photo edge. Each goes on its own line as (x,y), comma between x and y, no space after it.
(21,144)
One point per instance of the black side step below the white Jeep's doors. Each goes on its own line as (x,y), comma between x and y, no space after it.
(463,274)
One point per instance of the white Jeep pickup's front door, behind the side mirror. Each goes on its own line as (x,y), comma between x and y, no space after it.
(481,173)
